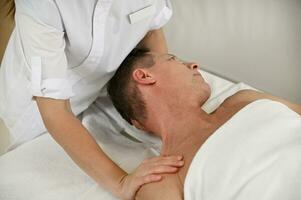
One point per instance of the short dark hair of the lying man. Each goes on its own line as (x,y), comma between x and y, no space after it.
(122,90)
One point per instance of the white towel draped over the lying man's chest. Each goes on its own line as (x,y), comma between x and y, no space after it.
(256,155)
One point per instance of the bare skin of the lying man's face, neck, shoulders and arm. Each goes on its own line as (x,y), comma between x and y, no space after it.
(174,92)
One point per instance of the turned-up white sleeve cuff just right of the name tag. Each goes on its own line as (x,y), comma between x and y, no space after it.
(163,16)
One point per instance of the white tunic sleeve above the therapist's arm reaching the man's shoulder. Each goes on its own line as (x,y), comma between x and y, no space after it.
(43,45)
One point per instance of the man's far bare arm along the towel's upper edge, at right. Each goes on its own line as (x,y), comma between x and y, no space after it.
(252,95)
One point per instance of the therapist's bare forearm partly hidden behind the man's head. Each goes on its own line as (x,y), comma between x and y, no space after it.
(155,41)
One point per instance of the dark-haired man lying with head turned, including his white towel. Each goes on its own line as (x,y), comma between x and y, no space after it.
(248,148)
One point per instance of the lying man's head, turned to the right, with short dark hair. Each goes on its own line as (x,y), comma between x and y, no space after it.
(146,82)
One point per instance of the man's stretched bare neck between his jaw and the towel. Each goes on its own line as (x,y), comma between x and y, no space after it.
(187,127)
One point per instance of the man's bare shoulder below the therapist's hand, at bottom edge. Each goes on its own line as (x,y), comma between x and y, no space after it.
(169,188)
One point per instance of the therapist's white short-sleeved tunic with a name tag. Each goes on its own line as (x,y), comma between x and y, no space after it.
(68,50)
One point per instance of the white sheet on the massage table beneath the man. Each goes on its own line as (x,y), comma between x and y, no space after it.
(41,170)
